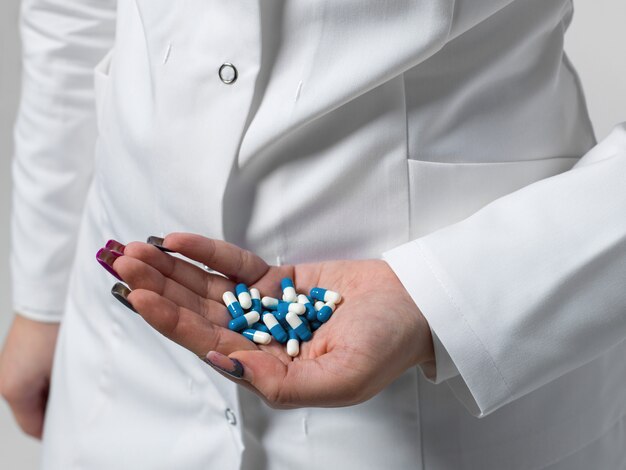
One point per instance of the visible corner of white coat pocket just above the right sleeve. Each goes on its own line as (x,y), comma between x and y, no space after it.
(444,193)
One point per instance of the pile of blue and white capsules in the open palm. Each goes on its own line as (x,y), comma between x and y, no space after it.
(290,320)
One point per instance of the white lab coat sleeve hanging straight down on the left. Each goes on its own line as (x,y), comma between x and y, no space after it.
(55,131)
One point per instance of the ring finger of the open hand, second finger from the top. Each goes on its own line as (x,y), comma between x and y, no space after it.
(210,286)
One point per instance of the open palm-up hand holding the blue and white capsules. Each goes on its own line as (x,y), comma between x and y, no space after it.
(376,333)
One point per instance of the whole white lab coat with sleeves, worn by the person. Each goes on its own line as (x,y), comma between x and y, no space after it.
(445,136)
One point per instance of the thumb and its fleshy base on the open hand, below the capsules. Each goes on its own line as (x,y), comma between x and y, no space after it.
(323,381)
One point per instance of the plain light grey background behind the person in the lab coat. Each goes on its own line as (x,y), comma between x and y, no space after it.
(595,42)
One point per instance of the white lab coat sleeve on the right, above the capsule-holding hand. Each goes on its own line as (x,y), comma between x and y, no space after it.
(531,286)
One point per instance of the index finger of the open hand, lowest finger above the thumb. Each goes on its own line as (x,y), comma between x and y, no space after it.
(184,326)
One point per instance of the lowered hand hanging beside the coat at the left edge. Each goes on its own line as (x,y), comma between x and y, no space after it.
(25,367)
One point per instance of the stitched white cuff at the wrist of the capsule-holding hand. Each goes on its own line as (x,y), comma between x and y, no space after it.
(479,384)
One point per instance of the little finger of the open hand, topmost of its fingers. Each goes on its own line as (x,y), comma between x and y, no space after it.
(238,264)
